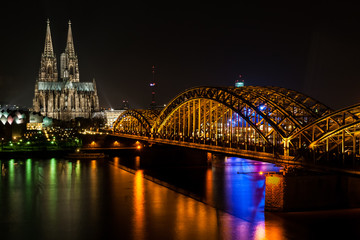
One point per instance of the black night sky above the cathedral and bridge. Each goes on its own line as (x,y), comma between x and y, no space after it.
(313,48)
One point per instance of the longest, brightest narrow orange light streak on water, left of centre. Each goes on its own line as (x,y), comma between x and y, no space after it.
(139,205)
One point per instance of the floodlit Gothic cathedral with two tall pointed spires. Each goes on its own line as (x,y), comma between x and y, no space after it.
(60,94)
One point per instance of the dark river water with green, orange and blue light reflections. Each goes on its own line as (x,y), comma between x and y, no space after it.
(115,199)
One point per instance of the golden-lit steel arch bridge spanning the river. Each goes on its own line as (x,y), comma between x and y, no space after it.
(256,119)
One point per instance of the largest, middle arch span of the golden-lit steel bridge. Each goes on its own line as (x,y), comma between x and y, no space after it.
(250,118)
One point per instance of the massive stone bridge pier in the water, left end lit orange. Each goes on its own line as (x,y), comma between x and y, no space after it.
(302,191)
